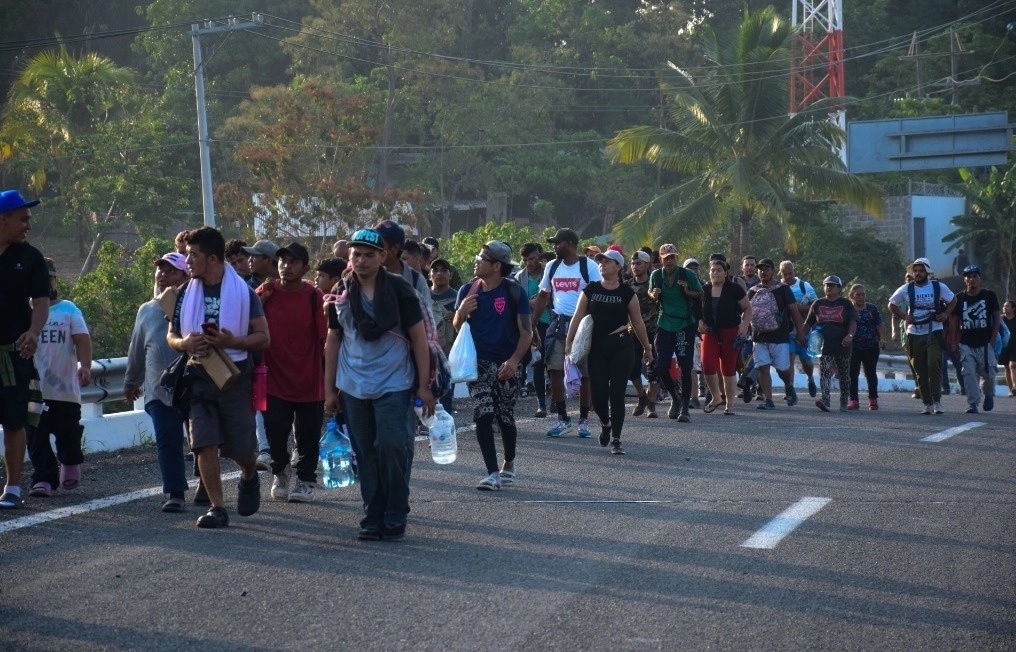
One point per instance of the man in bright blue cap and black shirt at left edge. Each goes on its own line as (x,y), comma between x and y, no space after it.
(25,306)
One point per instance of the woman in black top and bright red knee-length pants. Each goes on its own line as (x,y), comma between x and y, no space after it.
(727,313)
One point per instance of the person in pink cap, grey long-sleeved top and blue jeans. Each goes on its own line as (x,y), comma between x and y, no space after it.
(148,357)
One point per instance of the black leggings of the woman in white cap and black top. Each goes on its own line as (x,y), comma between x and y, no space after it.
(610,363)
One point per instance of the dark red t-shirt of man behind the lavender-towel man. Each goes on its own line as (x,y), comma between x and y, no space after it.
(296,357)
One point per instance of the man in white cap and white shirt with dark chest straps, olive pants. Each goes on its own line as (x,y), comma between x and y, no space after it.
(930,303)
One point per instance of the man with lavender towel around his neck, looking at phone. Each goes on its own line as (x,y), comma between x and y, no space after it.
(218,309)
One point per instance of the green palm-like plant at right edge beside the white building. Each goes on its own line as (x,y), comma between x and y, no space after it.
(990,225)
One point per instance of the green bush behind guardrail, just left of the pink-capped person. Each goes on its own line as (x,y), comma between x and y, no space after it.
(110,295)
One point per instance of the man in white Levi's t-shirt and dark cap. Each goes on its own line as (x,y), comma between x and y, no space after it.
(563,282)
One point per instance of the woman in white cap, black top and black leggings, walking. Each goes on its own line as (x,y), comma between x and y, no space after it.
(613,305)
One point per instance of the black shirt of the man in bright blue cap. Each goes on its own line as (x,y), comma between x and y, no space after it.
(24,276)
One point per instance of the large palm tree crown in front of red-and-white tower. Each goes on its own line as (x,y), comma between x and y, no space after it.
(734,145)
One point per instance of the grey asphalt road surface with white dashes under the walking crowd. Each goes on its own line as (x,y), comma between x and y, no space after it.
(791,530)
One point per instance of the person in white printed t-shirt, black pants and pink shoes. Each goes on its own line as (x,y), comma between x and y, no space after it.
(65,363)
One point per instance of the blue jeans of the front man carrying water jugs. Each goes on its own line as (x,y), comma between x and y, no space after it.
(383,434)
